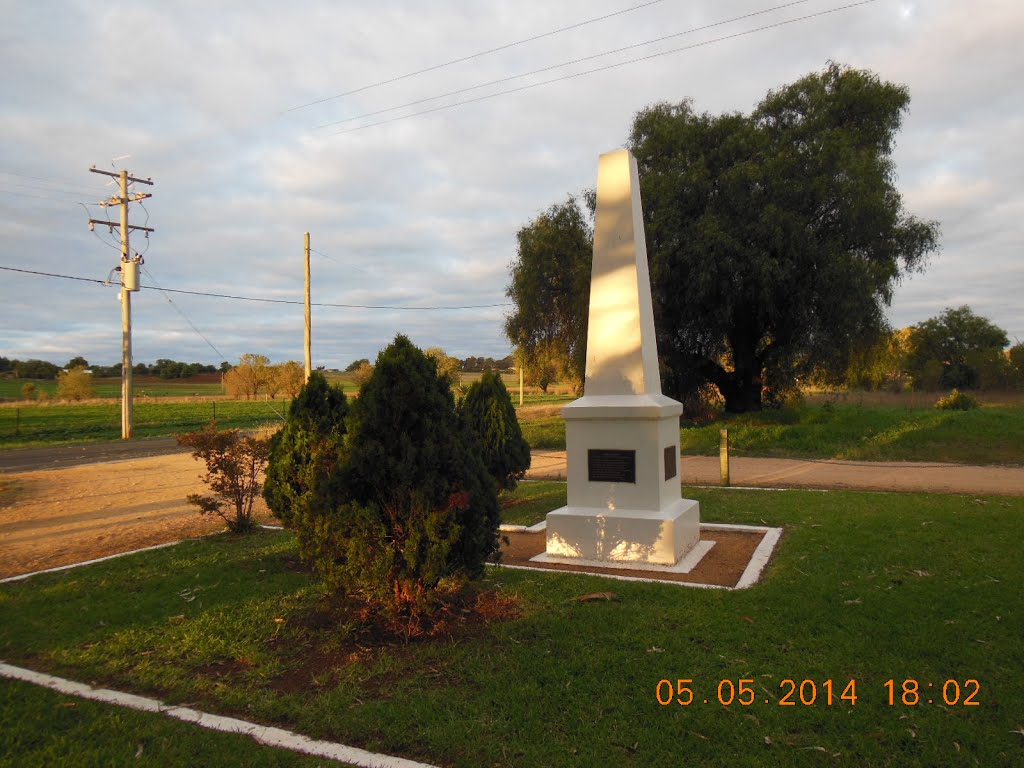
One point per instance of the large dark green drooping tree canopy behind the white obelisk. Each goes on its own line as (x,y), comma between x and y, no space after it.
(775,239)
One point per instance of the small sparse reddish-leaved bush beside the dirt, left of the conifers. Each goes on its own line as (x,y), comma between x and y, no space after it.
(235,463)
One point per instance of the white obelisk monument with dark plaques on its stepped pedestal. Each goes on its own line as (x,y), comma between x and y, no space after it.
(623,436)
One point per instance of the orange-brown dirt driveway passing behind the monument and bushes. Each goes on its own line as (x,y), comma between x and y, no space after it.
(59,517)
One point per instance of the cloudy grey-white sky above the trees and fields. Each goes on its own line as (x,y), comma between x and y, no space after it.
(234,110)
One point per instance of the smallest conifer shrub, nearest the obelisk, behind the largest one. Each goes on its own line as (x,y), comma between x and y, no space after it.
(487,412)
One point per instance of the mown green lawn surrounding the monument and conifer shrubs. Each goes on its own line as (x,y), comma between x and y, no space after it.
(865,587)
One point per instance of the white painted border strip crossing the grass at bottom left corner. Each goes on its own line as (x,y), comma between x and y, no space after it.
(262,734)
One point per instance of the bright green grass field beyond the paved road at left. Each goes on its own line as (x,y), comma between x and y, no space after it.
(55,424)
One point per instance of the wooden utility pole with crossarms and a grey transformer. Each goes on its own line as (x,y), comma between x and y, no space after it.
(130,283)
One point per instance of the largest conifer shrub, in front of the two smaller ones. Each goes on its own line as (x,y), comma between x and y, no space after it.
(411,509)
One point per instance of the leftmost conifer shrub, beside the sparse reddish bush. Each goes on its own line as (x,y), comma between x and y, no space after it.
(306,457)
